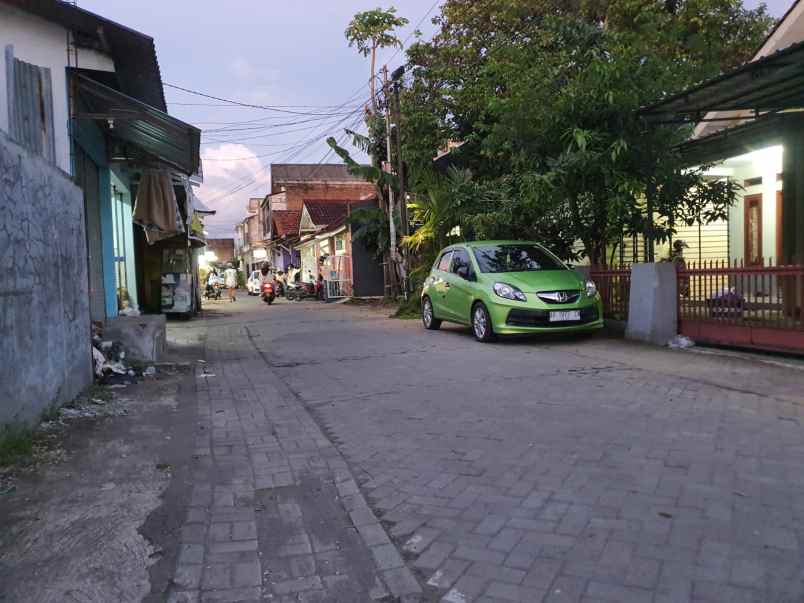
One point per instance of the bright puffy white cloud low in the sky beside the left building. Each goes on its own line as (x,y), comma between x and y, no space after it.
(226,168)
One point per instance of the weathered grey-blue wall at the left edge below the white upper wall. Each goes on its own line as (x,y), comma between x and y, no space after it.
(45,345)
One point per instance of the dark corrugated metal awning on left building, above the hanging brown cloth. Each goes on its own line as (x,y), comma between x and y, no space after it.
(158,134)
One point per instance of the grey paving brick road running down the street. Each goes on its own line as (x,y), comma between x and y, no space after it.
(344,456)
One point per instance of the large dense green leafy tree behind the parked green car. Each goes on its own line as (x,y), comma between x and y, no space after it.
(545,96)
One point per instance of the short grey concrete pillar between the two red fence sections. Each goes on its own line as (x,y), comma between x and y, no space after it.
(653,307)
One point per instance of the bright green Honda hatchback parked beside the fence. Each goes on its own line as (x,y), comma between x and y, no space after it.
(508,288)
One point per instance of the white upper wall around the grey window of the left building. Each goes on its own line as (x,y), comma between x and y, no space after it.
(43,43)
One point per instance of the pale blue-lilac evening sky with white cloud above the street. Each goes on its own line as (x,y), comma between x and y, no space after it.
(287,54)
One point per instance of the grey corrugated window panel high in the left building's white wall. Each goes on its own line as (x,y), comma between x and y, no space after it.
(30,106)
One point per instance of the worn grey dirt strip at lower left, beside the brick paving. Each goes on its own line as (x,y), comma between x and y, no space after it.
(70,517)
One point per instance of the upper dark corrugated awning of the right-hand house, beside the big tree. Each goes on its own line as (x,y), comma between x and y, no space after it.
(771,84)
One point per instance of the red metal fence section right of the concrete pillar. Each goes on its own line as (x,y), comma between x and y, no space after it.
(730,303)
